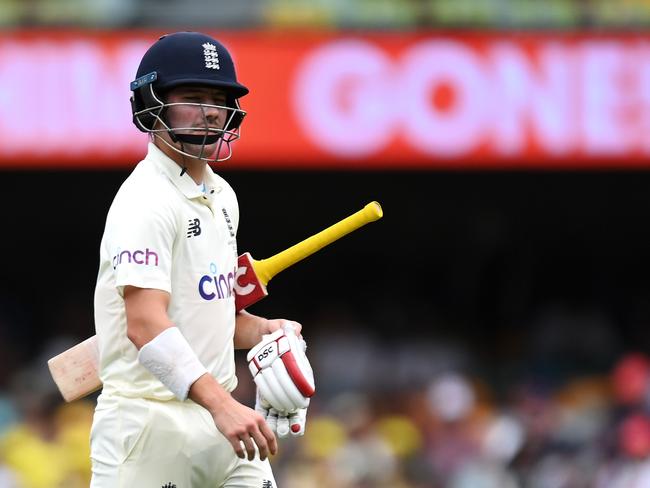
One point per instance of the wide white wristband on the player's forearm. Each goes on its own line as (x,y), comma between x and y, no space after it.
(170,358)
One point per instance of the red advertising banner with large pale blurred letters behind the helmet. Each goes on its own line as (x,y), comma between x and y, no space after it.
(348,100)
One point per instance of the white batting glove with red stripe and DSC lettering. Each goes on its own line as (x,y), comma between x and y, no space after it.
(281,370)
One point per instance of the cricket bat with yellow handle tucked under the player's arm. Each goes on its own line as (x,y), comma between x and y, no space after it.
(75,371)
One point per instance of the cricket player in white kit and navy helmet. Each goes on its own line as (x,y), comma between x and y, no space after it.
(164,300)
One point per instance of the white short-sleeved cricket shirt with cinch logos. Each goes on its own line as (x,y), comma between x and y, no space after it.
(163,232)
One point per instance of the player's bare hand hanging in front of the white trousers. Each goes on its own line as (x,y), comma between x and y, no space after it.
(240,424)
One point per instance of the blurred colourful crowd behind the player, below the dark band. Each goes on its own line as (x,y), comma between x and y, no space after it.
(399,413)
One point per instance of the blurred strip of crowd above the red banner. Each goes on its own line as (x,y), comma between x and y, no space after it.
(381,14)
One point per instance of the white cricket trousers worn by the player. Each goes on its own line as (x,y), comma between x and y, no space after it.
(151,444)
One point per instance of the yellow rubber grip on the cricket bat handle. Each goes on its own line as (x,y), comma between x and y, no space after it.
(265,269)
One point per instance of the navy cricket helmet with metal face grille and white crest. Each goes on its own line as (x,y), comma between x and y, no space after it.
(188,59)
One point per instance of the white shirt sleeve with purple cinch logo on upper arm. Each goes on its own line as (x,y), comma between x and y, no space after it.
(140,247)
